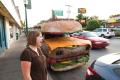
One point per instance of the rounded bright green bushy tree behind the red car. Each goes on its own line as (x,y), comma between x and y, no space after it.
(93,24)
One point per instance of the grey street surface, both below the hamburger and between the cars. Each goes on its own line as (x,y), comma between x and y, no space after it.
(79,73)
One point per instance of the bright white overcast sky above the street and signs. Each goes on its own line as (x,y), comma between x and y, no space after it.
(42,9)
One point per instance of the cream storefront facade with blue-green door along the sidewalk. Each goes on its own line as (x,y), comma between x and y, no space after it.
(10,24)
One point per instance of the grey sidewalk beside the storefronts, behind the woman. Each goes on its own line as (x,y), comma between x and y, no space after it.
(10,63)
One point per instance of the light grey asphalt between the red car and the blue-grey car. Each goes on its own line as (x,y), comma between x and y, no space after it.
(114,47)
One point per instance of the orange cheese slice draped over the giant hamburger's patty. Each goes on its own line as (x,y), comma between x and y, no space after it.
(54,43)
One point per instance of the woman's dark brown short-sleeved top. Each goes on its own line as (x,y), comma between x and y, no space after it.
(38,63)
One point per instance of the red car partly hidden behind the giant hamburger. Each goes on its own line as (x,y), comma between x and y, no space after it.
(97,42)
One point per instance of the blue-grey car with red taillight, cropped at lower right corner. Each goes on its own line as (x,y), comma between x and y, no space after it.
(105,68)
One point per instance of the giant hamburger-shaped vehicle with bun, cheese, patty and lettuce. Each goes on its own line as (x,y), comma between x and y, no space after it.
(64,52)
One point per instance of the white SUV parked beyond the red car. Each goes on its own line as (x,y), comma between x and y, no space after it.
(105,32)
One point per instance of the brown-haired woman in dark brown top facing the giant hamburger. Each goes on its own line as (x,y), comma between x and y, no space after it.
(33,61)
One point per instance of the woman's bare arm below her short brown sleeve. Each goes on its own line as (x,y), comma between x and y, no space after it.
(26,67)
